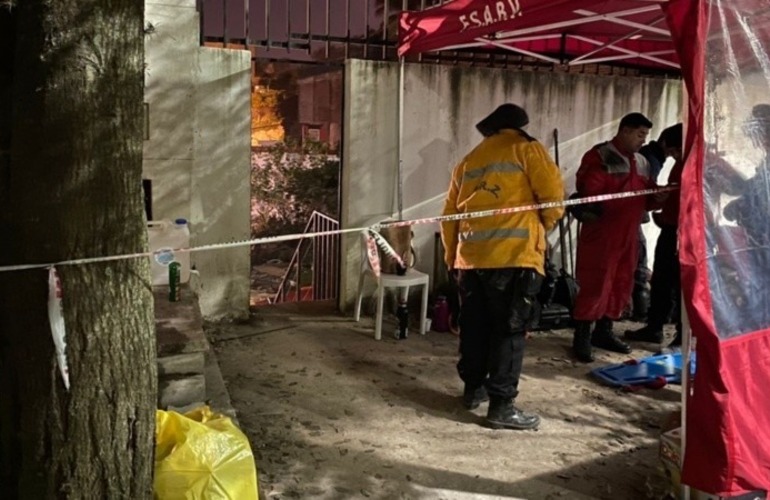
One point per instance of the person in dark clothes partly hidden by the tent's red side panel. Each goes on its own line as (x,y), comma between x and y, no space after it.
(665,292)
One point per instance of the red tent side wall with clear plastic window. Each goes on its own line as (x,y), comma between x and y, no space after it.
(728,420)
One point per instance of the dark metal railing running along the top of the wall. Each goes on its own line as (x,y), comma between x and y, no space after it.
(330,31)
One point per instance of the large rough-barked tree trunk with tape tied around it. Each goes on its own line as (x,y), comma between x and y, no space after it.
(70,187)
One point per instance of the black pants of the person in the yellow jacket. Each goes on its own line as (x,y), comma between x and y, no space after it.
(497,308)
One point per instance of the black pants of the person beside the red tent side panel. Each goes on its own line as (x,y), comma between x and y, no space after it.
(665,292)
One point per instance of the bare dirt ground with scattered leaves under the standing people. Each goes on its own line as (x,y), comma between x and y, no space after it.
(331,413)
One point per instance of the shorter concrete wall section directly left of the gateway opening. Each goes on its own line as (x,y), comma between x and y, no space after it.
(220,184)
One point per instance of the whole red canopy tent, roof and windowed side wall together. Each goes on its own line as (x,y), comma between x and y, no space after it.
(722,49)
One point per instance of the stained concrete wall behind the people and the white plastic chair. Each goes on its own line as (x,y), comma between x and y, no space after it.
(442,105)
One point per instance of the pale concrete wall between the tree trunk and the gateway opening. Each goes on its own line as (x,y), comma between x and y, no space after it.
(197,155)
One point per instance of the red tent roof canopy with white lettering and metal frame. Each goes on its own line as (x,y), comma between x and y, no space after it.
(589,31)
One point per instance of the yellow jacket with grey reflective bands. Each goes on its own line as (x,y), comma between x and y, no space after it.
(506,170)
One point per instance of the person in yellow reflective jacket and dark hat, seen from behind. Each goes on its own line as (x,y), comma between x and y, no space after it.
(498,260)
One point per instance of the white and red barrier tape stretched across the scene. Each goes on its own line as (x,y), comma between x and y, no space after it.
(373,228)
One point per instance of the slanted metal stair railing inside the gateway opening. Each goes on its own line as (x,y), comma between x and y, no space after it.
(313,272)
